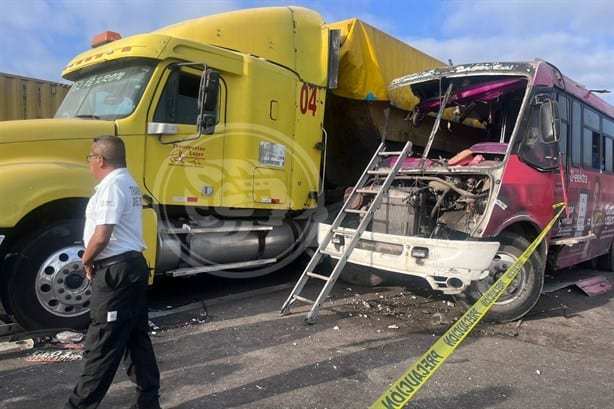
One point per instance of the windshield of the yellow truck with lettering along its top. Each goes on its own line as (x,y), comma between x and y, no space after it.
(109,93)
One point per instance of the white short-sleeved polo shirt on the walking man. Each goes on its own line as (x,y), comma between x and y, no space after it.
(117,201)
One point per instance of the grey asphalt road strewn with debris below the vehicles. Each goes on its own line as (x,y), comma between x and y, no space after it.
(228,349)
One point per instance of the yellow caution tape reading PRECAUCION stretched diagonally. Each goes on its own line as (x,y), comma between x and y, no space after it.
(407,385)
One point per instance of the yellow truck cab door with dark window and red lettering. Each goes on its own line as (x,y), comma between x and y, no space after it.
(182,167)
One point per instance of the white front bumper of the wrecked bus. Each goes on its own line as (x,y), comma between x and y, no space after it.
(447,265)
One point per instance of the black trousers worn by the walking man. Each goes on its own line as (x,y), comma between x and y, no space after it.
(118,332)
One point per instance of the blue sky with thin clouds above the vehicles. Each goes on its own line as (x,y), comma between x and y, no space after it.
(38,37)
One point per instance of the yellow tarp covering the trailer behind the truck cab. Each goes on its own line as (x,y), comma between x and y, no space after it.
(370,59)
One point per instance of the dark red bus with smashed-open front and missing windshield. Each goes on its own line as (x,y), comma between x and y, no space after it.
(495,145)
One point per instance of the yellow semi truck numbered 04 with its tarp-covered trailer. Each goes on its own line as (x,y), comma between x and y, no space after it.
(240,127)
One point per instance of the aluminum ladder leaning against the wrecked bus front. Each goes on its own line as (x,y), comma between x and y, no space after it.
(366,217)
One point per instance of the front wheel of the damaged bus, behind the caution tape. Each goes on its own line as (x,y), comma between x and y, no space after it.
(522,293)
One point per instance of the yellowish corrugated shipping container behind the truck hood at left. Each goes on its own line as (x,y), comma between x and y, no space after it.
(29,98)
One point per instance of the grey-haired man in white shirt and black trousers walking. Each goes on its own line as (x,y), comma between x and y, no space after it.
(114,263)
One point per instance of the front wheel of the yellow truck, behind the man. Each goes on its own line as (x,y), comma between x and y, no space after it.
(47,287)
